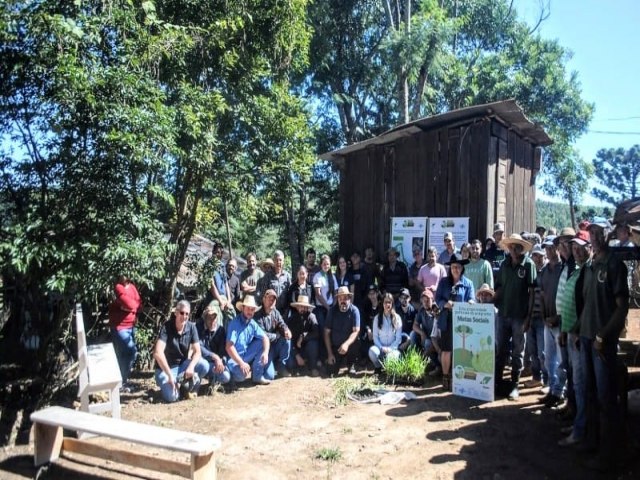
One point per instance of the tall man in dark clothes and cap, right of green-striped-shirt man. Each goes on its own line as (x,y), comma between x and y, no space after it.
(602,304)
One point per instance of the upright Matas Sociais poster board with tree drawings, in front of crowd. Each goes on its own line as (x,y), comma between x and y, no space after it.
(473,364)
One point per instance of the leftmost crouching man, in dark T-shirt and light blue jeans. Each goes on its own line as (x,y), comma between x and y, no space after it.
(177,355)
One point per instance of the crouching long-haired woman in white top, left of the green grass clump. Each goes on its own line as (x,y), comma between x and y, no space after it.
(387,333)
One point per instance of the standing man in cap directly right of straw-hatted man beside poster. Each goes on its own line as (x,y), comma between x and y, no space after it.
(535,332)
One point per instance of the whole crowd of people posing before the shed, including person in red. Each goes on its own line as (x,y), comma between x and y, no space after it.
(561,302)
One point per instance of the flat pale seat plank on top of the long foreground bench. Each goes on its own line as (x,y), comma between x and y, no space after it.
(193,443)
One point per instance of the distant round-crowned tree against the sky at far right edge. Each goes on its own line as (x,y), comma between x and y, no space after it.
(619,172)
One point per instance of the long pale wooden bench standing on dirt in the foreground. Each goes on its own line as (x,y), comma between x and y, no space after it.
(48,427)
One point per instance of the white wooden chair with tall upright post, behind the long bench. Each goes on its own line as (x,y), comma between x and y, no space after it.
(99,372)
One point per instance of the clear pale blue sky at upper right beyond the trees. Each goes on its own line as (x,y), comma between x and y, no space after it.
(604,36)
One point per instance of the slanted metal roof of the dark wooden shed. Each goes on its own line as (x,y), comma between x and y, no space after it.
(507,112)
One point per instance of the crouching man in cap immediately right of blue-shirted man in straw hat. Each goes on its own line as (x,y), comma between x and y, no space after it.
(270,320)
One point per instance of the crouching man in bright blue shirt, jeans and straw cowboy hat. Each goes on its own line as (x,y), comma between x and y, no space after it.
(248,346)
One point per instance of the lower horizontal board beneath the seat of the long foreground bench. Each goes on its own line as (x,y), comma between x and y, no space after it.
(127,457)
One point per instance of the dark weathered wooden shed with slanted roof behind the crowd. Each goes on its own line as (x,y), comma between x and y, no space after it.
(479,162)
